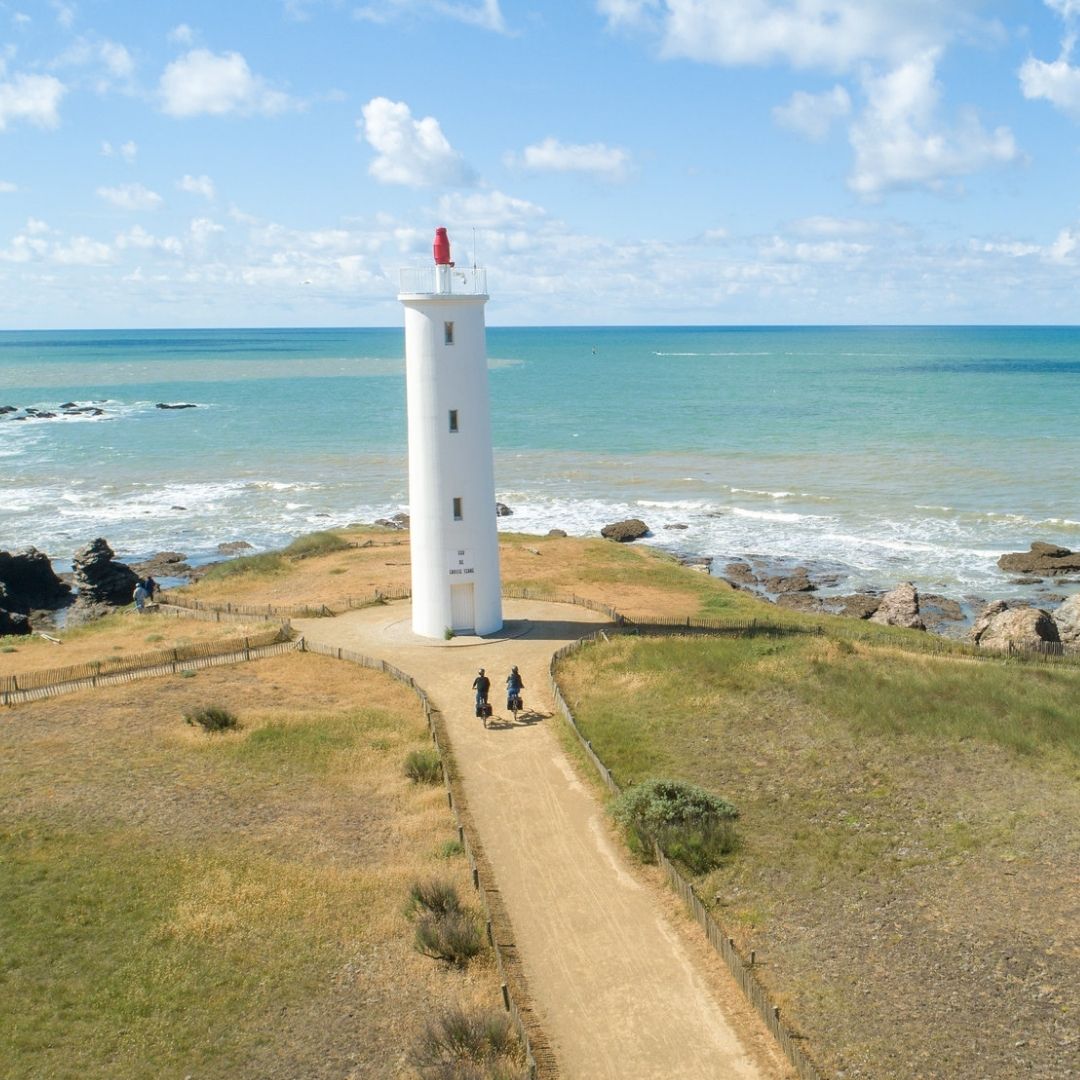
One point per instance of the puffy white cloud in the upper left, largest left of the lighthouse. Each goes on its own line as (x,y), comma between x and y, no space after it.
(202,83)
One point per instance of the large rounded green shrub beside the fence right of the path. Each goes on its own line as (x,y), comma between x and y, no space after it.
(692,826)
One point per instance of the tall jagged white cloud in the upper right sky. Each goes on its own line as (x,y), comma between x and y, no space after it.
(898,144)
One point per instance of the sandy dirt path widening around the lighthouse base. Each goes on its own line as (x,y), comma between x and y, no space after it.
(616,988)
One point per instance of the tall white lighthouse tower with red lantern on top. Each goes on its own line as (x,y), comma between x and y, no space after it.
(455,544)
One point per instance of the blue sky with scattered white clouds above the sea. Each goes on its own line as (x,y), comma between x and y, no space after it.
(611,163)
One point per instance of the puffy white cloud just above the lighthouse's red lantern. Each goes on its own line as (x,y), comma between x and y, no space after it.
(411,153)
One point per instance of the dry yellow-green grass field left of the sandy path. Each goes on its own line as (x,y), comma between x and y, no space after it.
(226,906)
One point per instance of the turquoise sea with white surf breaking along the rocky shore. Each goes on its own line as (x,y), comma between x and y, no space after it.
(889,454)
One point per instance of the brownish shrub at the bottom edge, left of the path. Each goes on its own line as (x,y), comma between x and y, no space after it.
(469,1045)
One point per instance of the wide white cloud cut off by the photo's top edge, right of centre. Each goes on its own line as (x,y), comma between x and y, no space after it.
(834,35)
